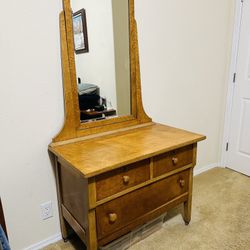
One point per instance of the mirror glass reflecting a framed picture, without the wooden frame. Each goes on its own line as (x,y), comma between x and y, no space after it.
(101,37)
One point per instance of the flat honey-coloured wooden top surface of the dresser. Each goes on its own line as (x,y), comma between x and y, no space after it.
(102,154)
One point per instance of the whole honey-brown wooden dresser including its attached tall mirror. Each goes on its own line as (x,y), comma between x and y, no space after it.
(116,174)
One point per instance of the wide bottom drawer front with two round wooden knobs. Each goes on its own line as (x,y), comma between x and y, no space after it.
(120,212)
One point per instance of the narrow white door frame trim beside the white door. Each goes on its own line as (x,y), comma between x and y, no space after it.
(231,83)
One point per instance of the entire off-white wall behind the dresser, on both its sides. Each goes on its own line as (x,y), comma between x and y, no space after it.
(184,50)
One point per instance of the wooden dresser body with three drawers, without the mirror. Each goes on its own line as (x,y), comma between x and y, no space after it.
(109,185)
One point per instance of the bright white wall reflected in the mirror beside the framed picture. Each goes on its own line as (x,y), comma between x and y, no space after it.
(98,65)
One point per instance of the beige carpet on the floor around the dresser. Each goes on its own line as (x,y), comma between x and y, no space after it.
(220,218)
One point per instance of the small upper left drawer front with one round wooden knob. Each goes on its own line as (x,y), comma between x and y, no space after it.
(118,180)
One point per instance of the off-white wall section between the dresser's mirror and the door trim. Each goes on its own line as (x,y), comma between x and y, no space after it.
(185,53)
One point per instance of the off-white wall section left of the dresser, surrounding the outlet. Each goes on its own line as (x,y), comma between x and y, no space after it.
(31,113)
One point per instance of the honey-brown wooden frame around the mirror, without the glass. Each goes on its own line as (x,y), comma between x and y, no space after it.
(73,128)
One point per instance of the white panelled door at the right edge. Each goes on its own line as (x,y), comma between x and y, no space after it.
(239,138)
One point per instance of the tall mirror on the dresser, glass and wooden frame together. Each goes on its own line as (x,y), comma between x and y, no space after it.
(126,85)
